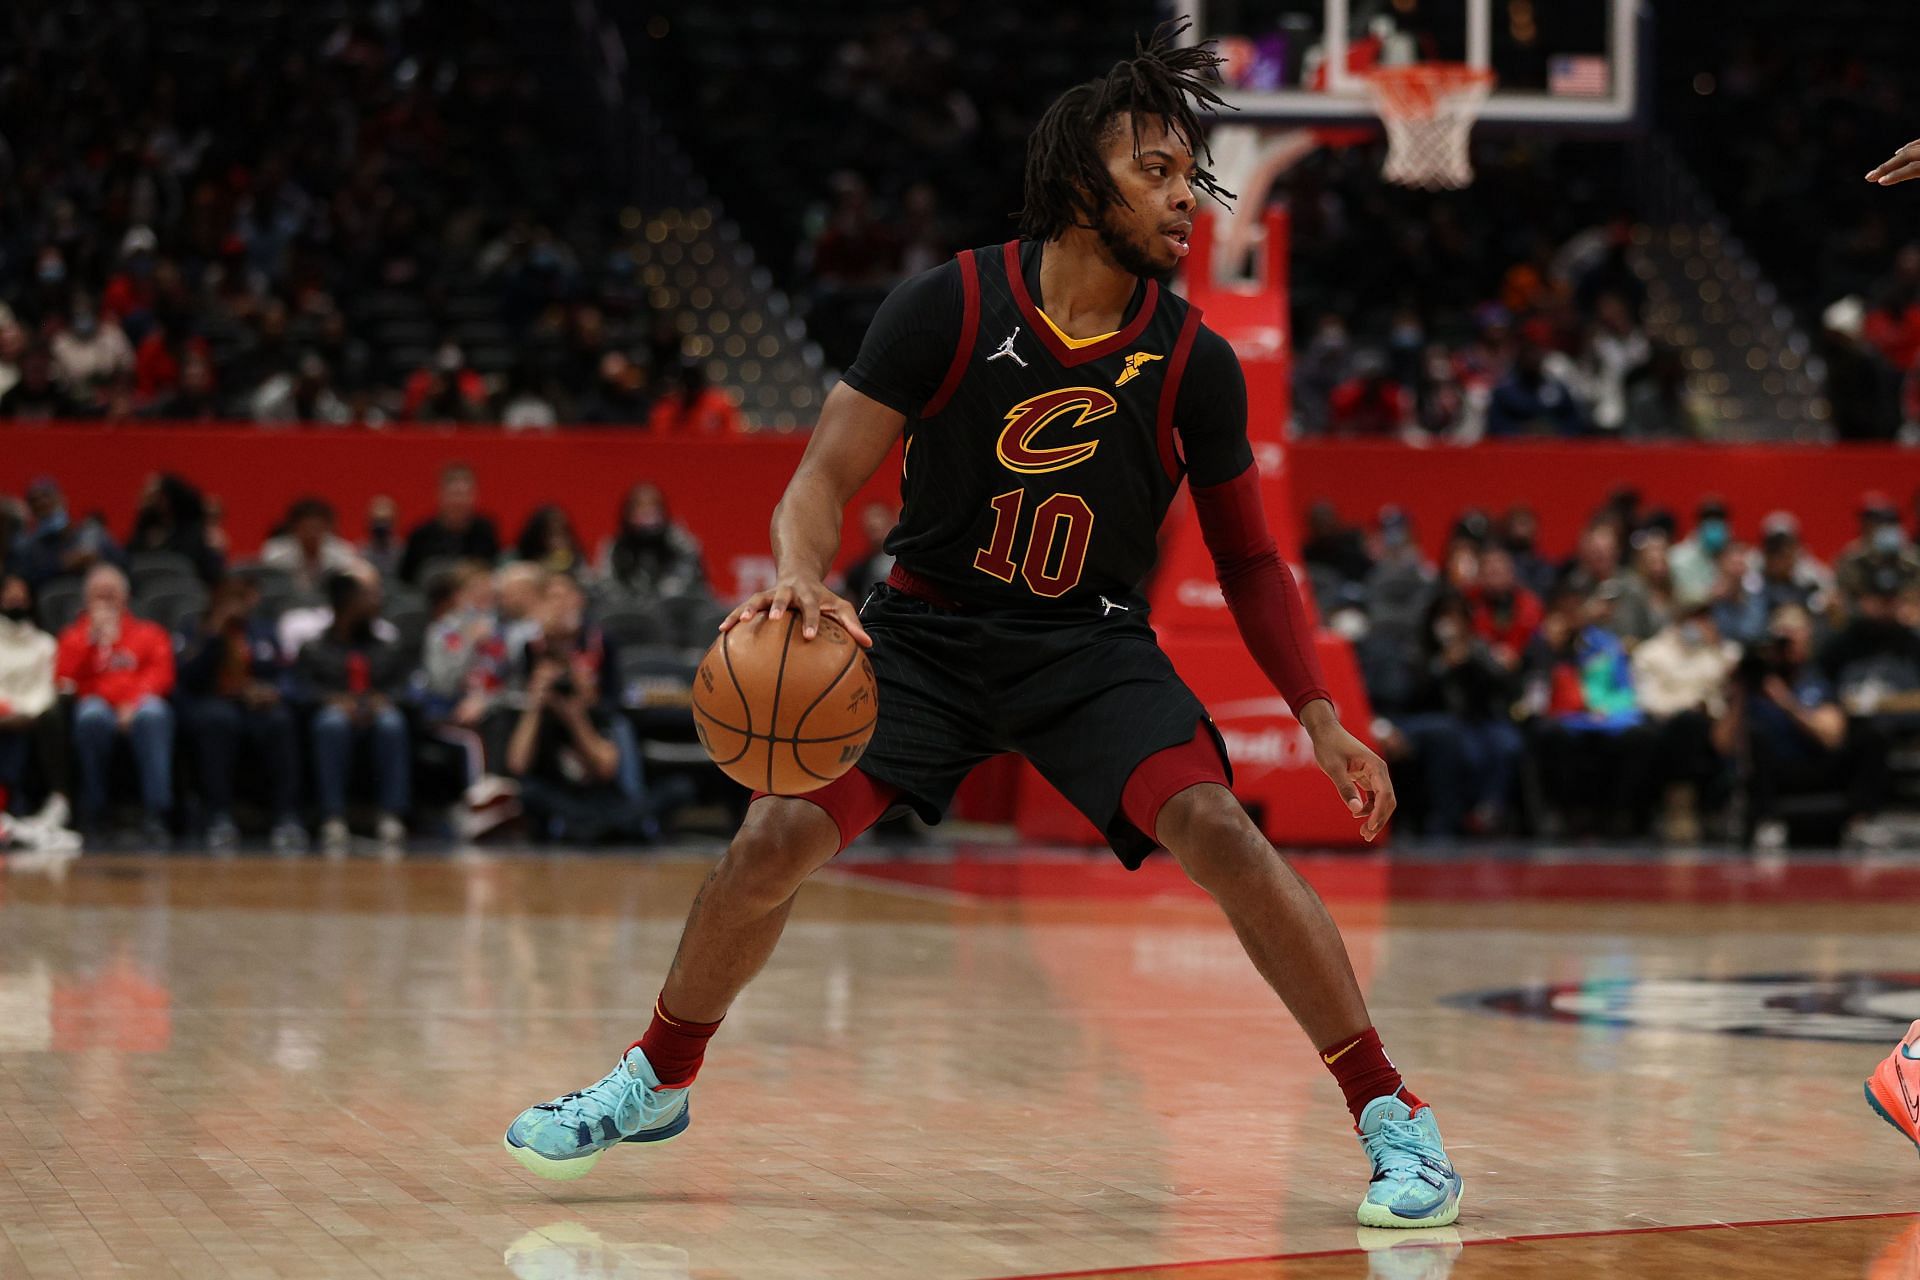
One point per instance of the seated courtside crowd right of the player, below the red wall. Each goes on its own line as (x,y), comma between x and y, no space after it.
(1666,678)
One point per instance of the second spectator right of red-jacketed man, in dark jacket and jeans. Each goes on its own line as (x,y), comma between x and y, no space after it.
(354,676)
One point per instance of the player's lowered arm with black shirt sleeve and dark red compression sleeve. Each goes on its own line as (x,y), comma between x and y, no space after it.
(1260,588)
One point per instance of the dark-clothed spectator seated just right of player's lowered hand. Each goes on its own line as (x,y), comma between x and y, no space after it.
(1462,732)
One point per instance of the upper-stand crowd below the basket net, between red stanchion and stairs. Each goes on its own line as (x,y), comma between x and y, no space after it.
(1512,308)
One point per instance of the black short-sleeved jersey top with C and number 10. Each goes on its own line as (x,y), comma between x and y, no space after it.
(1040,469)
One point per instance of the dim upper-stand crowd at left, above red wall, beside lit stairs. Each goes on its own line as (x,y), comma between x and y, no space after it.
(354,220)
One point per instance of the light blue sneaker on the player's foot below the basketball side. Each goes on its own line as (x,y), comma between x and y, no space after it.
(564,1139)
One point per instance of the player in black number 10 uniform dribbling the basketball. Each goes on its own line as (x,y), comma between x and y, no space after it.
(1053,394)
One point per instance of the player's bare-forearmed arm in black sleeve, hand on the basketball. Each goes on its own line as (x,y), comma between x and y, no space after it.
(901,364)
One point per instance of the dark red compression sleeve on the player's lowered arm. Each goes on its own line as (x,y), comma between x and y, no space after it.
(1260,590)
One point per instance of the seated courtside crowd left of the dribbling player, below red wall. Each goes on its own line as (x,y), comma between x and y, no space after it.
(151,678)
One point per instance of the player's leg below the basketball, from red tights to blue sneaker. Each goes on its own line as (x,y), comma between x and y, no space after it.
(729,937)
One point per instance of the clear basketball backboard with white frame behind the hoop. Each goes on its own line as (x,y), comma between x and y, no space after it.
(1556,62)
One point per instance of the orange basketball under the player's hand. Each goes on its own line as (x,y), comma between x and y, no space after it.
(782,713)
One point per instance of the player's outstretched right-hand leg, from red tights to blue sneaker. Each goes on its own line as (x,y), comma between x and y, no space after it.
(1297,947)
